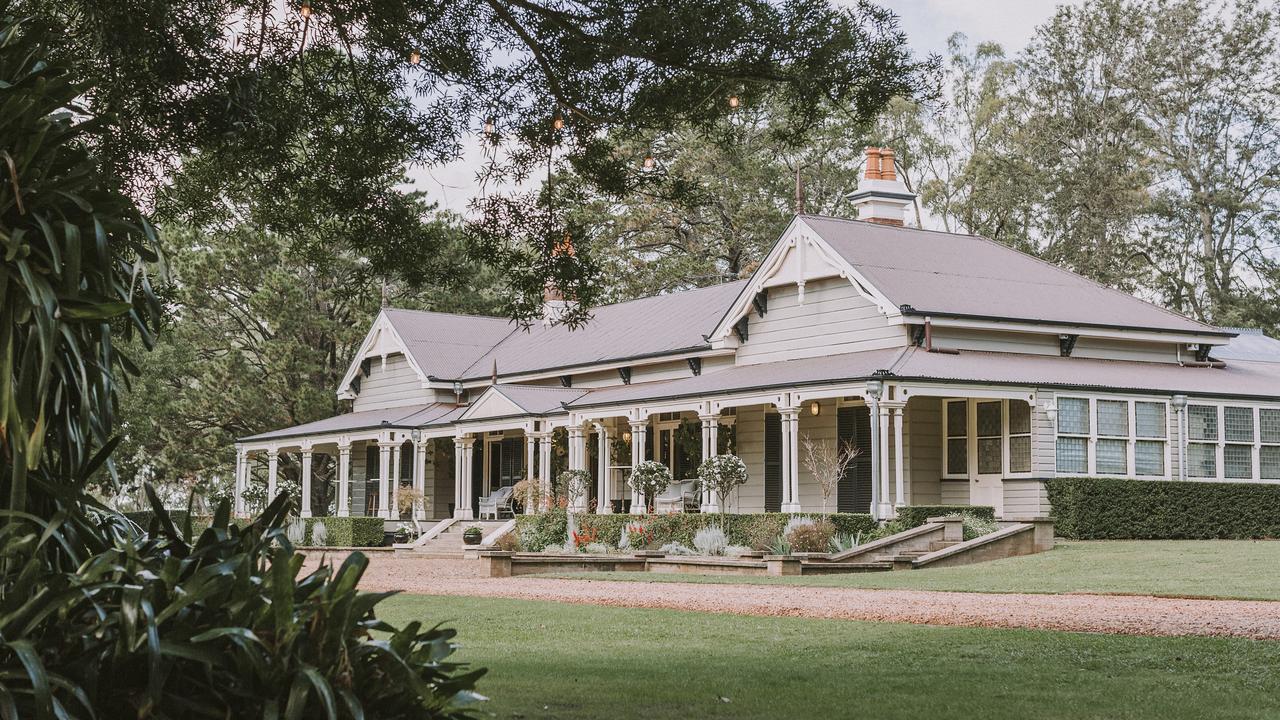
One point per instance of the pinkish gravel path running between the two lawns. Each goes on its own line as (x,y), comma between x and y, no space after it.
(1136,616)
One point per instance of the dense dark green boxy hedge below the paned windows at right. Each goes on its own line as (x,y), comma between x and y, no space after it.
(1121,509)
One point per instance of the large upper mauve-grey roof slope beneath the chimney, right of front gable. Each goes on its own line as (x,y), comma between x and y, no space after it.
(971,276)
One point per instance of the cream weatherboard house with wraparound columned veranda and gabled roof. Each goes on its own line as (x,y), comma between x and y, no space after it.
(964,371)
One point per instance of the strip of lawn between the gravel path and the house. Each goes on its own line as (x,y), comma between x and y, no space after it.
(1229,569)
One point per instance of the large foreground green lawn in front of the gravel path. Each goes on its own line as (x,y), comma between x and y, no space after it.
(551,660)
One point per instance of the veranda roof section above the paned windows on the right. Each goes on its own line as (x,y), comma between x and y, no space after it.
(1240,379)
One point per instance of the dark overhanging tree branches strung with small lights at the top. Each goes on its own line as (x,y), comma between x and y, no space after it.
(235,111)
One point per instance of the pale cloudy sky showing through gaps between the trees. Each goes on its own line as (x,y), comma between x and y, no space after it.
(927,24)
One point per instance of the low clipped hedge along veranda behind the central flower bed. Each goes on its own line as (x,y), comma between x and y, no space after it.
(537,532)
